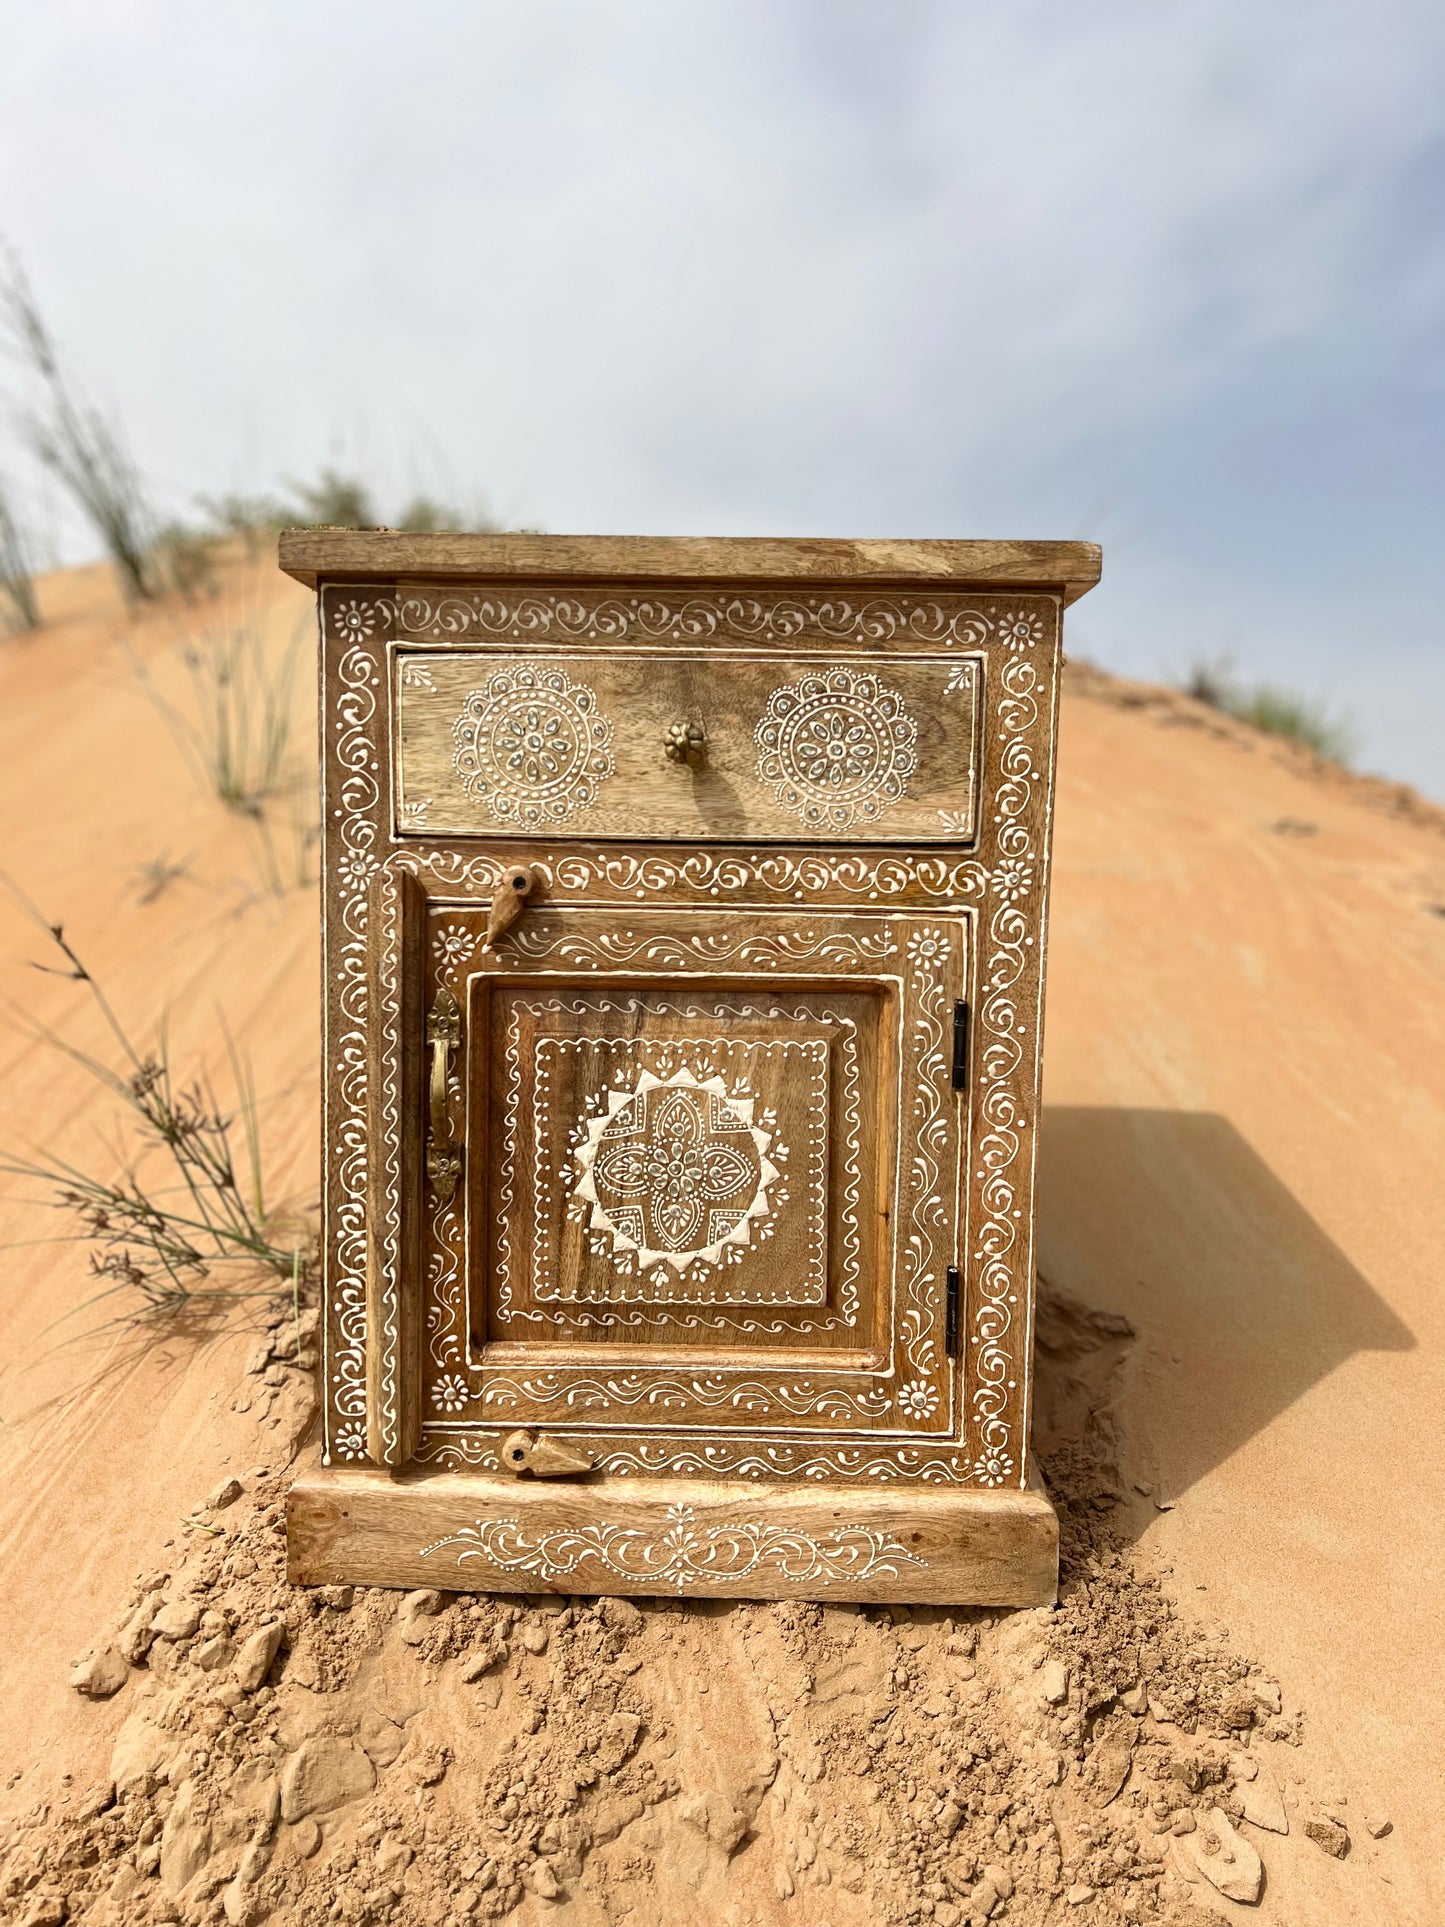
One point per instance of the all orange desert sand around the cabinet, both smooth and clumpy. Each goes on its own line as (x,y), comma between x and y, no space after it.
(1242,1388)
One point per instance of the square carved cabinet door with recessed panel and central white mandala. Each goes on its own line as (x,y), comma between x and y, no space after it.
(710,1173)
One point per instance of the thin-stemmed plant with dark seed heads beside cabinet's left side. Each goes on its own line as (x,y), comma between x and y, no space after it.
(184,1223)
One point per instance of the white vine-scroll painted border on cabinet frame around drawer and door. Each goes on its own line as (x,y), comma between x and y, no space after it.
(357,621)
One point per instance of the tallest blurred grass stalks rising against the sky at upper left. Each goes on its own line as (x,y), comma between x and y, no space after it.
(82,446)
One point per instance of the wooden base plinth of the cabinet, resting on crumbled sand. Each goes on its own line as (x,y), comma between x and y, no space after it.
(739,1541)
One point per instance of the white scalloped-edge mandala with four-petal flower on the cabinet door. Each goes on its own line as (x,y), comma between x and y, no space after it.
(675,1171)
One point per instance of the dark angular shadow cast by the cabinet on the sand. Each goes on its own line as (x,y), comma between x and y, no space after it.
(1240,1302)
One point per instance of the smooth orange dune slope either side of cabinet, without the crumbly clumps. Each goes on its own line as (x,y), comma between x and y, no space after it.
(1244,1153)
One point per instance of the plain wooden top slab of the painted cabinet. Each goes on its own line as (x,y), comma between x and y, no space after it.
(313,554)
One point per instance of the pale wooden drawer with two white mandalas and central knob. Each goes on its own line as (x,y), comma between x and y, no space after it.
(806,749)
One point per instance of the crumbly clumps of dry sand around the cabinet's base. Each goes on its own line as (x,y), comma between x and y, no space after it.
(355,1756)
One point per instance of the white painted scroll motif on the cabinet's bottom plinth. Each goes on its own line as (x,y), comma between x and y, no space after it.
(685,1554)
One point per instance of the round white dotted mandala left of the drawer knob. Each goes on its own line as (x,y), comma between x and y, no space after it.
(533,745)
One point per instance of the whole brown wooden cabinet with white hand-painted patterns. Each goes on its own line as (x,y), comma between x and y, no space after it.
(685,924)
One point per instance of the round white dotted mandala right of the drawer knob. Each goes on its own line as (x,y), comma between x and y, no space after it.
(837,749)
